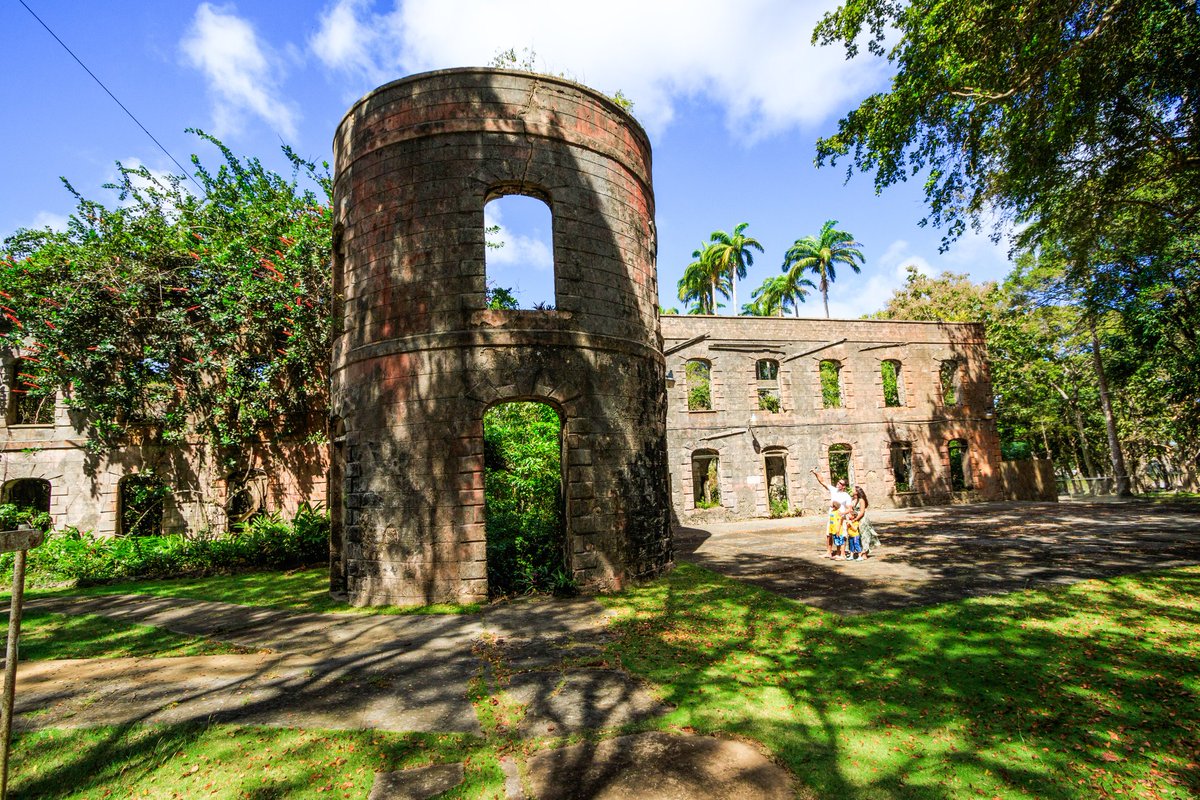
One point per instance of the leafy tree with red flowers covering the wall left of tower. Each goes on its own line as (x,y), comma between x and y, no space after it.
(173,315)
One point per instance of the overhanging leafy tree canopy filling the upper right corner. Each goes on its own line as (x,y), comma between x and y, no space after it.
(1064,115)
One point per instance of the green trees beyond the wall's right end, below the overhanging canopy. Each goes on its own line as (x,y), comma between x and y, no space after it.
(1043,374)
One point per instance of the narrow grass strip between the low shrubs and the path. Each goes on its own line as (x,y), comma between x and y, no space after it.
(302,591)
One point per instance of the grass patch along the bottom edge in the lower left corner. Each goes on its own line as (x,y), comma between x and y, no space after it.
(231,762)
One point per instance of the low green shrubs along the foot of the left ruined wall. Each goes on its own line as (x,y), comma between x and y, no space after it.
(267,543)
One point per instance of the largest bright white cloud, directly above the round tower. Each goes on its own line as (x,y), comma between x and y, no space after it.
(754,57)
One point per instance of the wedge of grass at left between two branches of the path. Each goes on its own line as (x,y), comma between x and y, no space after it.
(45,636)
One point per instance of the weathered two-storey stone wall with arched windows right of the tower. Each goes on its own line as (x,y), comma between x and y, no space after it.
(743,435)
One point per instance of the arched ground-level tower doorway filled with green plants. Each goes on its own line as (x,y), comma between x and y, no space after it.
(524,496)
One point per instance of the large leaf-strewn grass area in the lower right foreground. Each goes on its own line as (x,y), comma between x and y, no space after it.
(1067,693)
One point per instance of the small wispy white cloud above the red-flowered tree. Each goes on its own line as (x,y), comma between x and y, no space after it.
(239,70)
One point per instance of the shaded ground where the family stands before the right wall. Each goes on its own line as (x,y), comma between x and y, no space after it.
(938,555)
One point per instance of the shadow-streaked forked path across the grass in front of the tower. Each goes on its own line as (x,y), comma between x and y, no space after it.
(337,671)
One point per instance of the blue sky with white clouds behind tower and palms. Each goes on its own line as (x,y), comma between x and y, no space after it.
(733,95)
